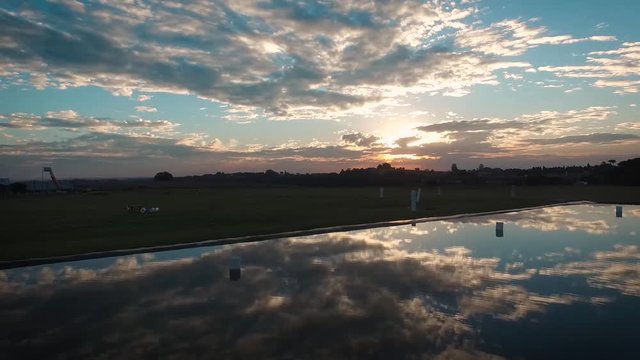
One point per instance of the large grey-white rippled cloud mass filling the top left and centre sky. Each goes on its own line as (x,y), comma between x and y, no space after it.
(286,60)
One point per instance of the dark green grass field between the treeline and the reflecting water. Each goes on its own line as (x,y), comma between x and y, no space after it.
(63,224)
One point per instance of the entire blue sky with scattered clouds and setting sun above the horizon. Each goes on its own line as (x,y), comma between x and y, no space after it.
(129,88)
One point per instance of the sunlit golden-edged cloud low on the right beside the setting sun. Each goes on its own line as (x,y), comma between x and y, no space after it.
(528,135)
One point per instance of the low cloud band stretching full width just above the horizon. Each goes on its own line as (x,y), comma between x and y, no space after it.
(134,142)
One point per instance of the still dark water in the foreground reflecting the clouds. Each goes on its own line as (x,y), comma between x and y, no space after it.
(562,282)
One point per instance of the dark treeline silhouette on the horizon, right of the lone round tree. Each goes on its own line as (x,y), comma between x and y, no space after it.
(606,173)
